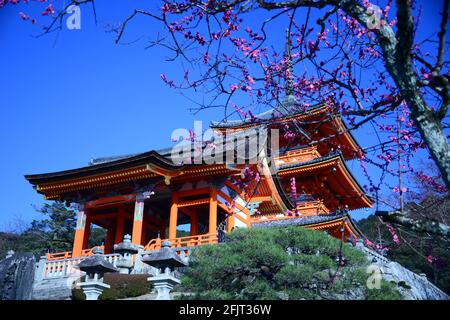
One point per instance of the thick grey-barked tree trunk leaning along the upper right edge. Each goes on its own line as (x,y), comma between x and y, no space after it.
(397,59)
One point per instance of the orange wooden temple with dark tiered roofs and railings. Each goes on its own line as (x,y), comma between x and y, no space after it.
(148,195)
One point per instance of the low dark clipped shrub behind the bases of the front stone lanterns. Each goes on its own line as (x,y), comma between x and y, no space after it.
(122,286)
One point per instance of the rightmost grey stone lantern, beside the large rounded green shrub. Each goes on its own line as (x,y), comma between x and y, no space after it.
(165,260)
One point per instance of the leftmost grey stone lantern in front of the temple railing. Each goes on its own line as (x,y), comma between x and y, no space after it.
(95,267)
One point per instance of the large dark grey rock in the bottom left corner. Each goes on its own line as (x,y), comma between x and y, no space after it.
(17,276)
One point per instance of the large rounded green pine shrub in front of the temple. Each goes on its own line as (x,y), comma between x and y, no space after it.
(279,263)
